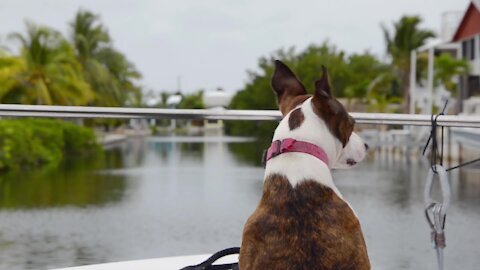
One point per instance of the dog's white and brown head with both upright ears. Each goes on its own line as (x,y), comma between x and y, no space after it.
(318,119)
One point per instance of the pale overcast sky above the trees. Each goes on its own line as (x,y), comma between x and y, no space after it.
(211,43)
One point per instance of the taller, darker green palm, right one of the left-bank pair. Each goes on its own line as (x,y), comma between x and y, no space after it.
(108,71)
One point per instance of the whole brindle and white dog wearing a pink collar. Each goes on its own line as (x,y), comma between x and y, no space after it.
(302,221)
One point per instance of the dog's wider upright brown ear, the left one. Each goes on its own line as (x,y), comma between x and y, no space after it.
(285,84)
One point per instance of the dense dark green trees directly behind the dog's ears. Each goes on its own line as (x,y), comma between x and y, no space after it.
(351,77)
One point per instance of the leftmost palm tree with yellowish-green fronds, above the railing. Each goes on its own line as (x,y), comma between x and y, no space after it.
(46,72)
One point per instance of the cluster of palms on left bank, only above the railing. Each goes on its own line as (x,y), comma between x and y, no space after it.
(84,69)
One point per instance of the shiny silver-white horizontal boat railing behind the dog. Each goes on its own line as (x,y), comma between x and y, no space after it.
(14,110)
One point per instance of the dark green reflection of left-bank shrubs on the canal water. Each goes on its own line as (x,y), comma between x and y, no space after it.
(72,183)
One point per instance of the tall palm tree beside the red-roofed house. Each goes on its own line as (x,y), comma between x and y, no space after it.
(406,37)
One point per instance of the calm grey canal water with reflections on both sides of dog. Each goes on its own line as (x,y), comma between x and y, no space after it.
(170,196)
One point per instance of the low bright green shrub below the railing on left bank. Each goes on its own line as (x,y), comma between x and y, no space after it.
(34,142)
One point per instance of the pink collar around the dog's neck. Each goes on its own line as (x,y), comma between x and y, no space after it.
(291,145)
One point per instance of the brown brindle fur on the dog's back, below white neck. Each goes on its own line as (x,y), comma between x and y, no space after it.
(303,227)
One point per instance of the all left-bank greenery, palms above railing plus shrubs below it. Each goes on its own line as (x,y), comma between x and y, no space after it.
(50,69)
